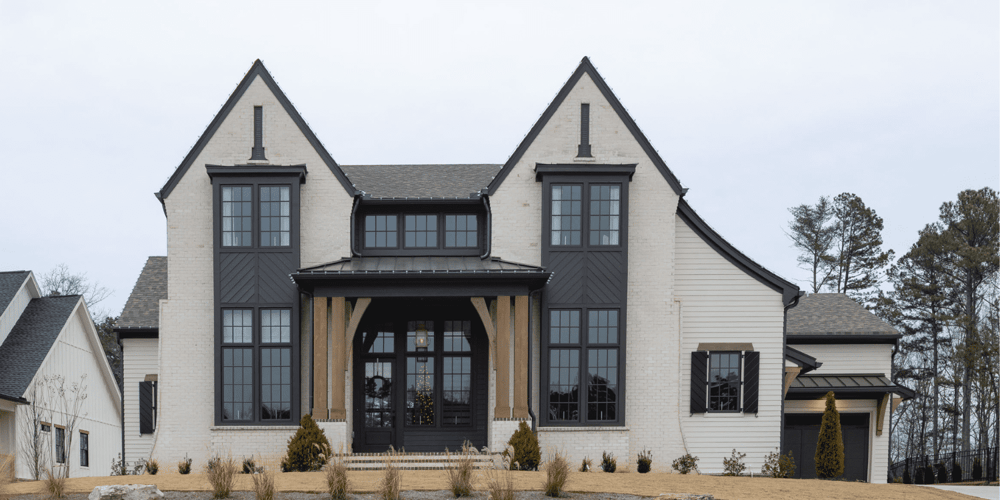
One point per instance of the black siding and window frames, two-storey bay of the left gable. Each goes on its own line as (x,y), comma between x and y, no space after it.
(255,277)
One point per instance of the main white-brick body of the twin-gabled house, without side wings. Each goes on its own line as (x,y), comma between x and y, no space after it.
(571,287)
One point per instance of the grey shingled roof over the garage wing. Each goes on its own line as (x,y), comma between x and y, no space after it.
(834,314)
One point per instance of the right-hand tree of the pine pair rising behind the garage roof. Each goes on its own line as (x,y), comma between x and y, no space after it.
(859,259)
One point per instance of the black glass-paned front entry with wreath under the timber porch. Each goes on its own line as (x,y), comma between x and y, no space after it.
(420,377)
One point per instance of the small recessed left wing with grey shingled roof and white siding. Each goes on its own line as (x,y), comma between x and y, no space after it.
(138,330)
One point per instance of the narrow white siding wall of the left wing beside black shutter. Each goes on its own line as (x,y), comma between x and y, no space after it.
(140,356)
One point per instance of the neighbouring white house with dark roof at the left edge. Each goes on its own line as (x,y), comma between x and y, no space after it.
(59,402)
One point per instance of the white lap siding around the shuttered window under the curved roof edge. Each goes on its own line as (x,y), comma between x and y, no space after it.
(721,303)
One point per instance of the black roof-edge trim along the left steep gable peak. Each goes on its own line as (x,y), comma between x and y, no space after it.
(256,70)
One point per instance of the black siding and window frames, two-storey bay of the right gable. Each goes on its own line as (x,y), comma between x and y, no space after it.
(584,277)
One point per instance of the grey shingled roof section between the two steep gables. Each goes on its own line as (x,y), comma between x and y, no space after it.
(421,181)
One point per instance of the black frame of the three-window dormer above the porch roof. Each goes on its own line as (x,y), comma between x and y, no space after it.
(440,211)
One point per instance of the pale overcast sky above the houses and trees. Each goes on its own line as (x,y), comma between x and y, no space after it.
(755,106)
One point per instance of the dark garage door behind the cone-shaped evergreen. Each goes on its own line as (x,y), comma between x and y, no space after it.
(802,433)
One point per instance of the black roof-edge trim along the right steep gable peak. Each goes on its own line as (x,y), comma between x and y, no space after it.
(586,67)
